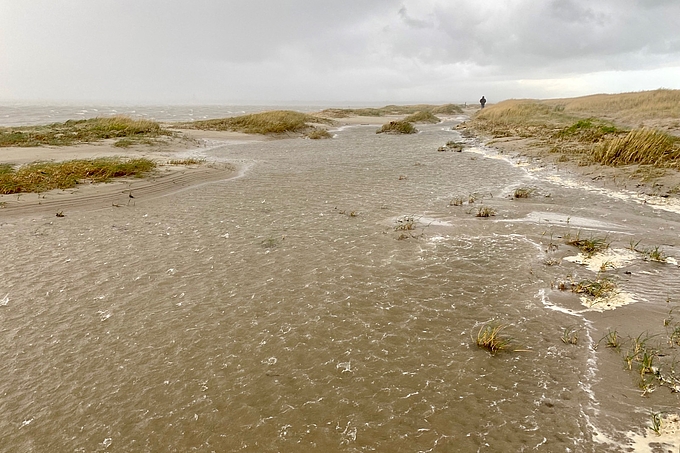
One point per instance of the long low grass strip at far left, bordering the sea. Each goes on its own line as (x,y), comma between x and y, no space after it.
(73,132)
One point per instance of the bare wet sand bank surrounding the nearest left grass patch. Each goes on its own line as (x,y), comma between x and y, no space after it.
(164,180)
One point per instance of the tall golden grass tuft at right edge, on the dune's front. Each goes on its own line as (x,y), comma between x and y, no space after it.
(639,146)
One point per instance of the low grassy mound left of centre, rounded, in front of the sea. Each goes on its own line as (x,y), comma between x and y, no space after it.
(265,123)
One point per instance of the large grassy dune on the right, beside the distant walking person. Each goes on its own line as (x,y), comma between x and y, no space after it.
(613,130)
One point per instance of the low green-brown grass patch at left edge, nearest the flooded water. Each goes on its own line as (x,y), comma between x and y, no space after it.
(44,176)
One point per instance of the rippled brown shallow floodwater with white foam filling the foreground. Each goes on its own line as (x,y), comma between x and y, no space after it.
(282,310)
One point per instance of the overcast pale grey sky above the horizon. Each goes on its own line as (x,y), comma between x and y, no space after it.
(339,51)
